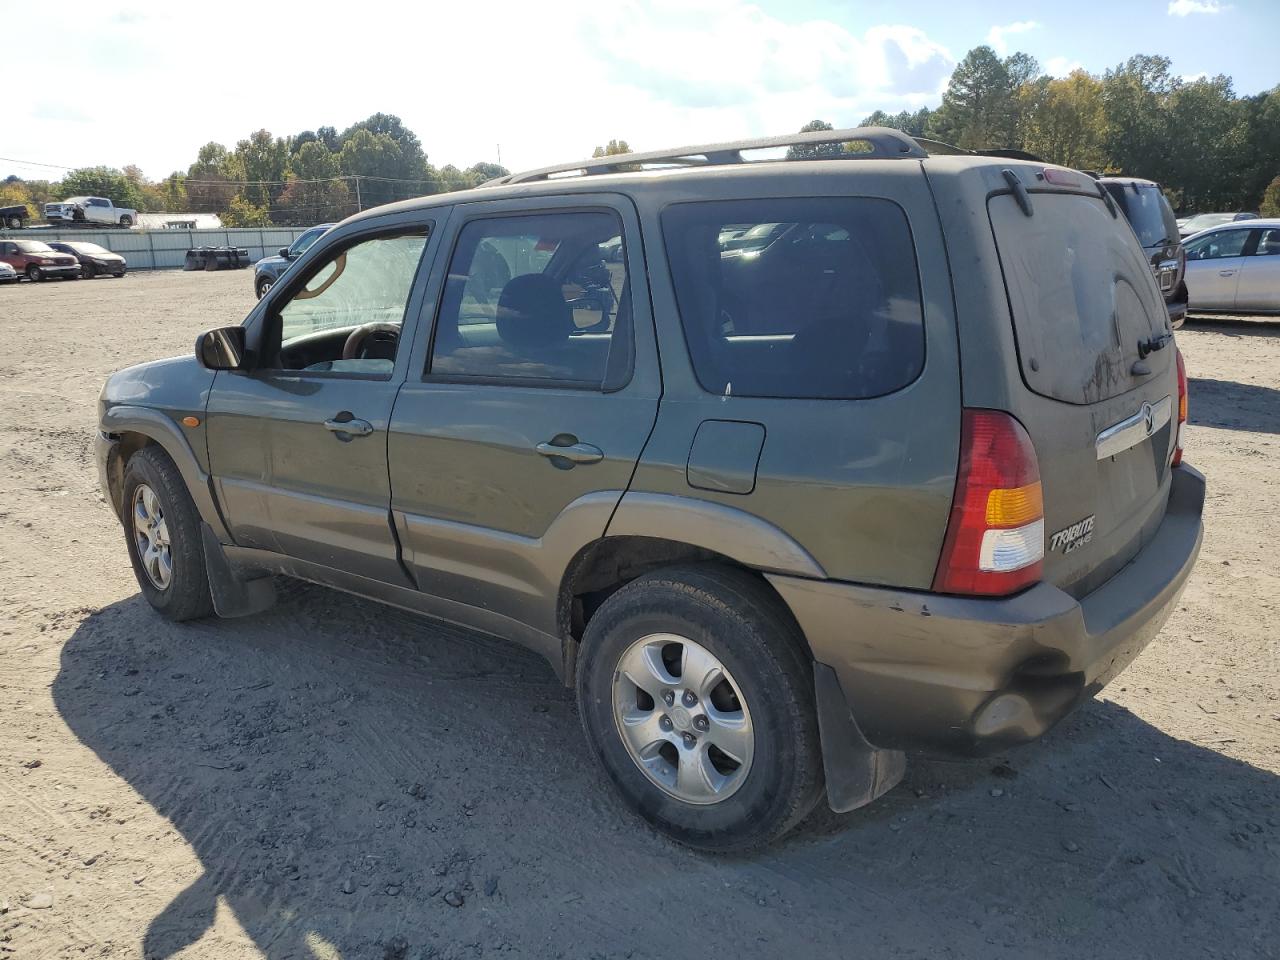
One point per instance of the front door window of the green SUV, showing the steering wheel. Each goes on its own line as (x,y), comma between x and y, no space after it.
(348,317)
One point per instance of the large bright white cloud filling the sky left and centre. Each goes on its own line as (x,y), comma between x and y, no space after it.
(547,88)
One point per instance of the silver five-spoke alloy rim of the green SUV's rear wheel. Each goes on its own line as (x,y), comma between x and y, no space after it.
(683,720)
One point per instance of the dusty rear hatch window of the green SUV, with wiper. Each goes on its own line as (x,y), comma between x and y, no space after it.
(1081,292)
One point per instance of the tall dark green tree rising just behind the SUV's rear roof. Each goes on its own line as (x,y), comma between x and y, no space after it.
(981,107)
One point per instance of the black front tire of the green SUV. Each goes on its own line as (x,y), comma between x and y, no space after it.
(184,595)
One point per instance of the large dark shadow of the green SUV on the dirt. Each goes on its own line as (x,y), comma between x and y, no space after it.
(340,769)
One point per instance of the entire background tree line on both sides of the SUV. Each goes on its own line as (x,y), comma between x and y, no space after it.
(1209,148)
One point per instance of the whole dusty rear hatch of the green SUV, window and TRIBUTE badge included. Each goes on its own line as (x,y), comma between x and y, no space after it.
(1099,373)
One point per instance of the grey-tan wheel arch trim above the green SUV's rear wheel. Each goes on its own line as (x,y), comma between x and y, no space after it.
(735,533)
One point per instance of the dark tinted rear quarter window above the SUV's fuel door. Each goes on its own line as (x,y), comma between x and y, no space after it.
(810,298)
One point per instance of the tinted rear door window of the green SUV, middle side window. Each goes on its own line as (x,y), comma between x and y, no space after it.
(536,298)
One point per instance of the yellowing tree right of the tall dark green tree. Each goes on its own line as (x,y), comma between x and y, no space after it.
(1064,121)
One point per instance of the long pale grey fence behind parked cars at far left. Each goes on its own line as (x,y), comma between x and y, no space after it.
(163,250)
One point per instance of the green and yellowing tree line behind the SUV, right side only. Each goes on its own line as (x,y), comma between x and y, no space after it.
(1210,149)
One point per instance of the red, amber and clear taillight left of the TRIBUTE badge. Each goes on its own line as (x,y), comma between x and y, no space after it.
(995,543)
